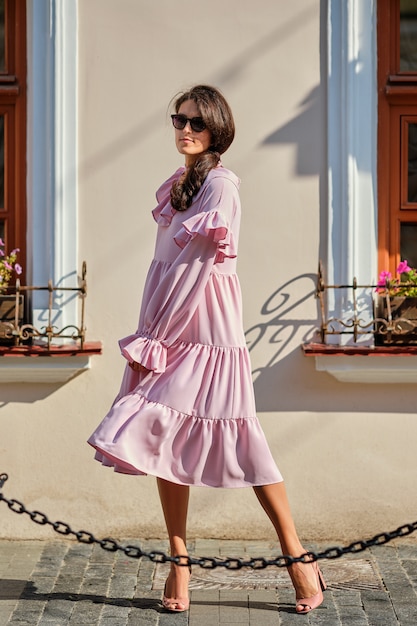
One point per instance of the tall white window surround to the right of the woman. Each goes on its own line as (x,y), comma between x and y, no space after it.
(352,145)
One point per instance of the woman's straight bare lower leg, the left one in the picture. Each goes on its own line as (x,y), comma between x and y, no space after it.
(174,500)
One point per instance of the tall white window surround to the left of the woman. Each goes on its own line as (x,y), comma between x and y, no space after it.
(52,145)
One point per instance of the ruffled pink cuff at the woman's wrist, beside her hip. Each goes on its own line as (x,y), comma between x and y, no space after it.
(145,350)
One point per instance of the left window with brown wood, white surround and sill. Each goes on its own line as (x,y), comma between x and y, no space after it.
(44,225)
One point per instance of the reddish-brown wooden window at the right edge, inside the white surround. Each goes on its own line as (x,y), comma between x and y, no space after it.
(397,132)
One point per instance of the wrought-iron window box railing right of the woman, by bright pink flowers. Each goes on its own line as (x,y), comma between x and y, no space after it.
(387,327)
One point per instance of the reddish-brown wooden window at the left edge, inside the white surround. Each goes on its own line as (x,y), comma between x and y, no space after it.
(13,125)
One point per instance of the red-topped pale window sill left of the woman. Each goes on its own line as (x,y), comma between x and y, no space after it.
(35,364)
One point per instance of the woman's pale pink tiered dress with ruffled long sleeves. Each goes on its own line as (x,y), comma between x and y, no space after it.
(191,420)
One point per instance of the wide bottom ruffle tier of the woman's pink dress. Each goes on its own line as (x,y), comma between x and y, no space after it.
(141,437)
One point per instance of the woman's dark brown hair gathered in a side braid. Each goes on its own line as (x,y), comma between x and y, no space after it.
(217,116)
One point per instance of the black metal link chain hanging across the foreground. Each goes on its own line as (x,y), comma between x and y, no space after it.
(156,556)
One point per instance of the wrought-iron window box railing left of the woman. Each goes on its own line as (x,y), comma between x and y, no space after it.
(16,331)
